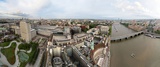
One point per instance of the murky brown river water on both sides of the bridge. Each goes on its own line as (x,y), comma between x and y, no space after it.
(146,50)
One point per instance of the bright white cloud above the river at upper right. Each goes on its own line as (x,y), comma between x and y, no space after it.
(134,9)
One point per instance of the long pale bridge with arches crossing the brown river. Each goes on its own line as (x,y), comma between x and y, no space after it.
(125,37)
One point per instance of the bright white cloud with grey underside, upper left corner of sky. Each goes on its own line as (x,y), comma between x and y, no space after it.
(21,7)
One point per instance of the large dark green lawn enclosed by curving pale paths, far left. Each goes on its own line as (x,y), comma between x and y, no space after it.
(9,53)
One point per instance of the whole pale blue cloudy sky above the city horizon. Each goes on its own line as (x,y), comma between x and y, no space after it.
(80,9)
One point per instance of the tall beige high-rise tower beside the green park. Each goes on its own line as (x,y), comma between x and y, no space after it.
(25,30)
